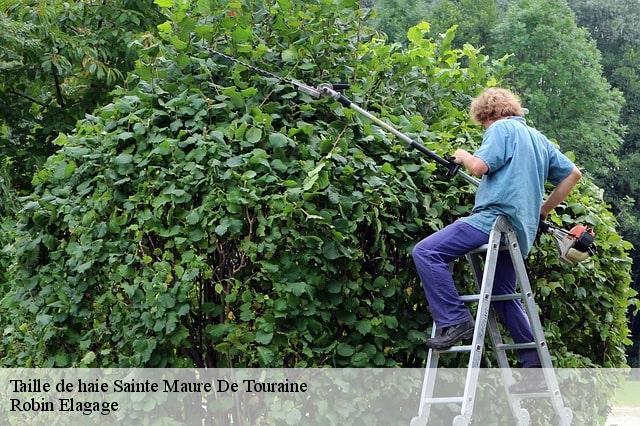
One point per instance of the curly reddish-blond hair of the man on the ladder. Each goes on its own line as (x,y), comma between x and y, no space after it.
(493,104)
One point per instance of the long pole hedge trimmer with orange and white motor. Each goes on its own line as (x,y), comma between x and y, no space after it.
(574,246)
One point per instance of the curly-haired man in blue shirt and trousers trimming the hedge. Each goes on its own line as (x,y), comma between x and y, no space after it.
(514,161)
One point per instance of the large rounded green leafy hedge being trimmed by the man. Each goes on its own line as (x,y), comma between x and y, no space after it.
(210,216)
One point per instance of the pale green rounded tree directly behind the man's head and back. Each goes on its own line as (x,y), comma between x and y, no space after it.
(557,72)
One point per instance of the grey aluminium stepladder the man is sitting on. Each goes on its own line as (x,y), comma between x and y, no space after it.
(502,237)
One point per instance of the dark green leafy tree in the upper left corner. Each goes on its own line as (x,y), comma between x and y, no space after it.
(59,60)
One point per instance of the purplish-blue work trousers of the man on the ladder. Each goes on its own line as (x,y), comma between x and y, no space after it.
(432,257)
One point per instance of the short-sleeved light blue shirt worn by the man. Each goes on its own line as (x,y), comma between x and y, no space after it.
(520,160)
